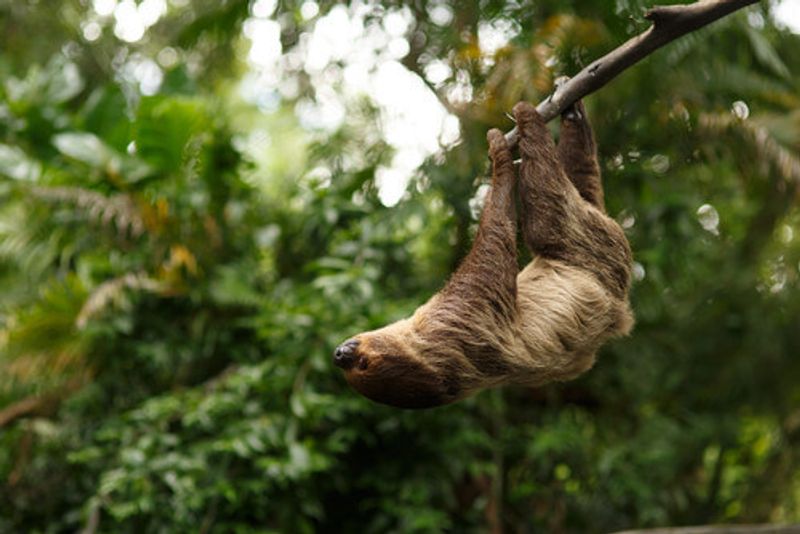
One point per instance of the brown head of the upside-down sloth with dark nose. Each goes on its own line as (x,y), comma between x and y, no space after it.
(384,367)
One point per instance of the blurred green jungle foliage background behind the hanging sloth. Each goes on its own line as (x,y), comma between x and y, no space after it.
(200,199)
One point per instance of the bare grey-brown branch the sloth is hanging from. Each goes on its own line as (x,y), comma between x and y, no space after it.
(669,23)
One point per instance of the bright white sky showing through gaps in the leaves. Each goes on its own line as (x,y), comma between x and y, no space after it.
(414,122)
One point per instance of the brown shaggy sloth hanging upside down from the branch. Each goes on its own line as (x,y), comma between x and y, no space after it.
(493,324)
